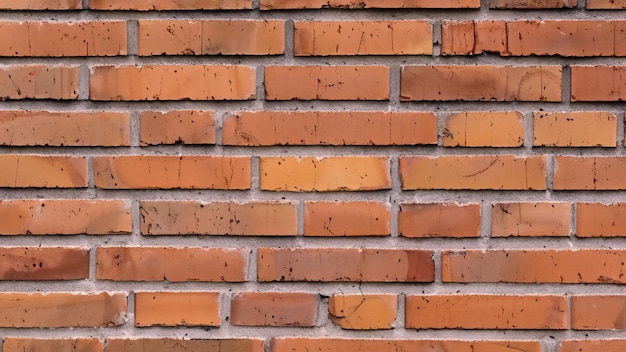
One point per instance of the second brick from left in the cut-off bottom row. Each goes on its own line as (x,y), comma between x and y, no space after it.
(180,345)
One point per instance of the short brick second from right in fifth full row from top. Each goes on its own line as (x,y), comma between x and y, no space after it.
(530,219)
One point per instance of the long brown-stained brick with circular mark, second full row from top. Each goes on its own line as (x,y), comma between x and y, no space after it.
(481,83)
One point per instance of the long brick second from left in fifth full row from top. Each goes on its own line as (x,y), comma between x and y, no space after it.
(198,218)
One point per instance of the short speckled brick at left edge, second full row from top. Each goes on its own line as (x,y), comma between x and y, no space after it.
(38,82)
